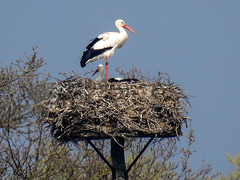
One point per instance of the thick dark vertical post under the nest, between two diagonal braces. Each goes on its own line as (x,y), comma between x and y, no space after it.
(118,159)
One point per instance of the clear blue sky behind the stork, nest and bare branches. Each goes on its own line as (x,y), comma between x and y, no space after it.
(196,42)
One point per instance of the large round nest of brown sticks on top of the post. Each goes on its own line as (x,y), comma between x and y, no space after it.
(81,108)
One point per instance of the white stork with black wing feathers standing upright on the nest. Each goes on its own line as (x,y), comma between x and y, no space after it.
(105,44)
